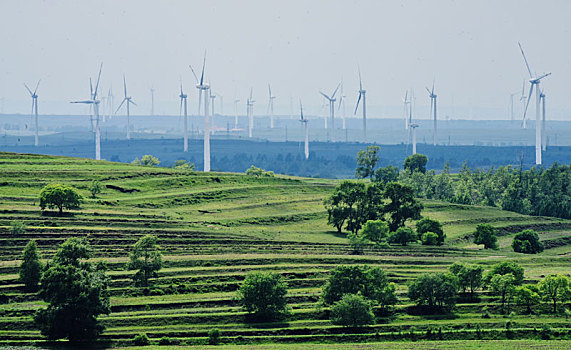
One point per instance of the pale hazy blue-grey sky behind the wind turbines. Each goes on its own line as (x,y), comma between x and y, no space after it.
(468,47)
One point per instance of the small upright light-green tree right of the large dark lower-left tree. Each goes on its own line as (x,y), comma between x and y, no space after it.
(147,258)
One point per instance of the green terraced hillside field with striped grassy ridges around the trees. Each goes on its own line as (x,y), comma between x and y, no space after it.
(214,228)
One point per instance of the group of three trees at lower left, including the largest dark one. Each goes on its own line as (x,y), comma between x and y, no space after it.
(75,289)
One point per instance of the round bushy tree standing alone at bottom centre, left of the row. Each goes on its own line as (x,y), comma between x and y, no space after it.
(263,294)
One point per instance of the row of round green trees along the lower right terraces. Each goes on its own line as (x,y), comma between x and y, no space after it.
(355,294)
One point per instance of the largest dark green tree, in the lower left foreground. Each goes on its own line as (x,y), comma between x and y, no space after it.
(76,292)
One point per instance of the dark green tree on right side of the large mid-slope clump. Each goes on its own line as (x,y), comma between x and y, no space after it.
(402,205)
